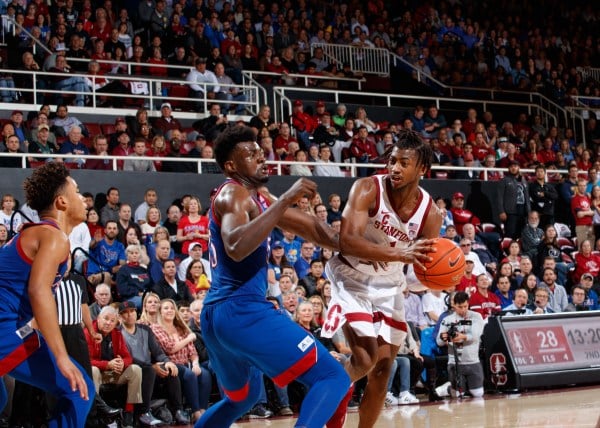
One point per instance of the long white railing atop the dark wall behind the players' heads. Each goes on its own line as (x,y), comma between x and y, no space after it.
(350,169)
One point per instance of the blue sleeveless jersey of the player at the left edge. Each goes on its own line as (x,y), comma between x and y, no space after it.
(15,268)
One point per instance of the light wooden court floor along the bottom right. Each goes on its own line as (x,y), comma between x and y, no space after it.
(565,408)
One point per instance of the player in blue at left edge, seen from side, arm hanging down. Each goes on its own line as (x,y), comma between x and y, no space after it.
(31,266)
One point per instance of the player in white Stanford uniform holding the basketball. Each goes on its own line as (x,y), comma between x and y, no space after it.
(388,221)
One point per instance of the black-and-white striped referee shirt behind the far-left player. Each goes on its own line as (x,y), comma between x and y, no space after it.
(69,296)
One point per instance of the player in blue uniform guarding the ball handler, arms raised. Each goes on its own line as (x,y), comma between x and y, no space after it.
(244,334)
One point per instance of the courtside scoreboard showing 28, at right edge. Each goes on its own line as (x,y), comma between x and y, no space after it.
(542,350)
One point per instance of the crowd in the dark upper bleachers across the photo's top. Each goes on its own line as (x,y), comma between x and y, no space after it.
(457,44)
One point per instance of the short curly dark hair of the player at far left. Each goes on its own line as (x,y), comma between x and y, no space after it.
(46,182)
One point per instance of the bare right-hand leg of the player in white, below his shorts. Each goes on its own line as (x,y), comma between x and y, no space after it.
(374,396)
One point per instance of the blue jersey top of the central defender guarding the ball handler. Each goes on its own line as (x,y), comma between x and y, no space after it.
(246,278)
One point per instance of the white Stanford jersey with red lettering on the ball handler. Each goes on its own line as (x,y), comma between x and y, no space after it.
(384,226)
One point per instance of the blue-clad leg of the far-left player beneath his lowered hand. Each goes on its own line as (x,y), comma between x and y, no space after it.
(41,371)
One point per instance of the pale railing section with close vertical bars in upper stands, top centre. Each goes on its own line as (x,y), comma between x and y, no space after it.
(361,59)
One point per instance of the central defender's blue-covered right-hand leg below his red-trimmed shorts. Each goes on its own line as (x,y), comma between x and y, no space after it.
(328,384)
